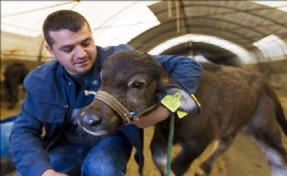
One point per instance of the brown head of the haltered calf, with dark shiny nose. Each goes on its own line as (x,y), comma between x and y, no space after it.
(138,82)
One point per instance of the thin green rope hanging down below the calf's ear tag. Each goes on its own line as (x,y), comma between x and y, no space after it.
(170,142)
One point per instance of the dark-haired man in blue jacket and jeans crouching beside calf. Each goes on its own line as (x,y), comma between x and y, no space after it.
(55,96)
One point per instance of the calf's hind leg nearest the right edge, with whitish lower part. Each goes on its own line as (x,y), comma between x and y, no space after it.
(265,130)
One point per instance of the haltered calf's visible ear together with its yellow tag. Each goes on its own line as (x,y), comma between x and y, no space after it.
(178,97)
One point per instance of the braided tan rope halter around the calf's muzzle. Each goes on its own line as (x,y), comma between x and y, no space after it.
(118,107)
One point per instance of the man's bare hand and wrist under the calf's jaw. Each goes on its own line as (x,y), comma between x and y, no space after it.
(159,114)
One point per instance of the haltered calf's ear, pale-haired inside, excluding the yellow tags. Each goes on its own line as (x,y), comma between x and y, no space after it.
(188,103)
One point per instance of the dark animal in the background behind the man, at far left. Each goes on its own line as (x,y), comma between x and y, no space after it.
(14,75)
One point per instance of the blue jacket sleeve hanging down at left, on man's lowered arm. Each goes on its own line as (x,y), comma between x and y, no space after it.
(26,148)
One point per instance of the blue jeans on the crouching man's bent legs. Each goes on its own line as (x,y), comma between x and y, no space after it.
(108,157)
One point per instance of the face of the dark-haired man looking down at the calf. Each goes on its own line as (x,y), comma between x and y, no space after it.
(76,51)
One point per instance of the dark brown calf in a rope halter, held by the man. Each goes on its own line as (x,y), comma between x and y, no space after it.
(233,100)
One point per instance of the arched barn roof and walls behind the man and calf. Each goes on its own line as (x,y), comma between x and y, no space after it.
(249,34)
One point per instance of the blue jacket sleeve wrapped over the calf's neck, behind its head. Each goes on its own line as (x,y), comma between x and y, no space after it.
(183,70)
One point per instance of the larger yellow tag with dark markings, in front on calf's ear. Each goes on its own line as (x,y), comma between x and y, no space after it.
(172,102)
